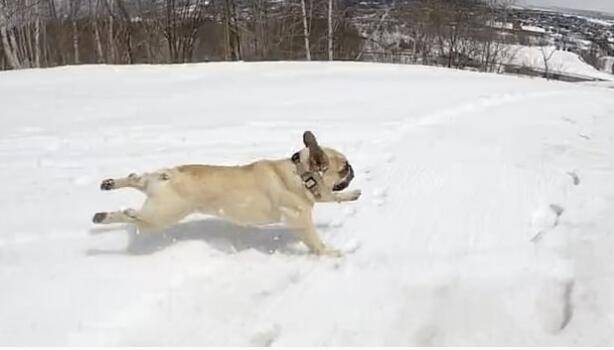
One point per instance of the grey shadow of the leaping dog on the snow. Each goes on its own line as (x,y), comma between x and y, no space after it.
(218,234)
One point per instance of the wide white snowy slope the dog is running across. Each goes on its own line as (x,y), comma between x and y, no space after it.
(487,214)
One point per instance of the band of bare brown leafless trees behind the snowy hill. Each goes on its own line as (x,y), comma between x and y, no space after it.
(46,33)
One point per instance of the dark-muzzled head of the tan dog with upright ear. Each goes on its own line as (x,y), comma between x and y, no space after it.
(336,171)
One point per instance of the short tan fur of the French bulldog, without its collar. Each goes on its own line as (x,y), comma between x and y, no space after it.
(260,193)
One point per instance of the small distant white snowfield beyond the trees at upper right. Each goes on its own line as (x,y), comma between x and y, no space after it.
(560,62)
